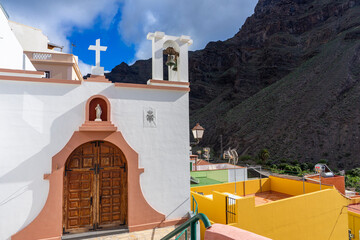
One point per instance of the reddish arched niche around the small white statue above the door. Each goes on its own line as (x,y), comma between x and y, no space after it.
(91,105)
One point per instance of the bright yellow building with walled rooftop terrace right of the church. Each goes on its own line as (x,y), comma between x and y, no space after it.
(277,208)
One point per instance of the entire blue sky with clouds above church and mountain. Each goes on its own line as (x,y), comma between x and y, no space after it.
(122,25)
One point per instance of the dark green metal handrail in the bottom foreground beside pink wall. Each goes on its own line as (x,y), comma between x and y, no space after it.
(189,223)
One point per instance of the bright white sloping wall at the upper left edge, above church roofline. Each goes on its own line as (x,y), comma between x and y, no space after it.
(11,52)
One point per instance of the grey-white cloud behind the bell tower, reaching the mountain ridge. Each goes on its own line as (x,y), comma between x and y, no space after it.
(203,20)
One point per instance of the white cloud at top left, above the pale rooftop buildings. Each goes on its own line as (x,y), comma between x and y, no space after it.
(57,19)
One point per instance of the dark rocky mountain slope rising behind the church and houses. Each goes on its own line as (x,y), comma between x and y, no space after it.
(288,81)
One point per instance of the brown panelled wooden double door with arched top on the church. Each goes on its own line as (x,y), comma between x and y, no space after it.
(95,188)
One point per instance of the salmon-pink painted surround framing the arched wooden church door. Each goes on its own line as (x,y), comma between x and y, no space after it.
(48,224)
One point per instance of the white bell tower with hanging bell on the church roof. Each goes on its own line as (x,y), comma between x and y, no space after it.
(176,49)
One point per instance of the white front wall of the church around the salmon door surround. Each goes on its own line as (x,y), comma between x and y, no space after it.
(38,119)
